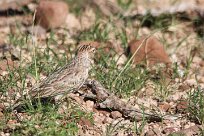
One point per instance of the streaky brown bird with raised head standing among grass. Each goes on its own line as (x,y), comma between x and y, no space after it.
(66,79)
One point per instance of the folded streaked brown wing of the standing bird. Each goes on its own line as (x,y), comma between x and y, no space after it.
(59,83)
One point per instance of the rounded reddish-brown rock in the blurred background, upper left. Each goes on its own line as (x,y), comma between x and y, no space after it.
(51,14)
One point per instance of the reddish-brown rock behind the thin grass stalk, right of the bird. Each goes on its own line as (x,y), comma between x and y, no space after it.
(152,51)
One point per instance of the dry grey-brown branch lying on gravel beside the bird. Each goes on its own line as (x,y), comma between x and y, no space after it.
(106,100)
